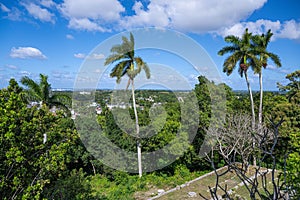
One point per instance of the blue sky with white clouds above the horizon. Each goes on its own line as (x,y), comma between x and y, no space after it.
(62,38)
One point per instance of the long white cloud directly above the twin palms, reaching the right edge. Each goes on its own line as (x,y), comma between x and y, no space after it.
(288,29)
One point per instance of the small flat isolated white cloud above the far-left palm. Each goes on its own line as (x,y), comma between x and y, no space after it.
(26,52)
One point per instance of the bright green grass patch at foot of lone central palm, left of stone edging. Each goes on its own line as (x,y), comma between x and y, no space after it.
(130,187)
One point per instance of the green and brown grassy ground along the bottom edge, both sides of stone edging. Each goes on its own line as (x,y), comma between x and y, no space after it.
(129,187)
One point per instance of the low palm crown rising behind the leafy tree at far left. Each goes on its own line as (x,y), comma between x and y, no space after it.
(42,92)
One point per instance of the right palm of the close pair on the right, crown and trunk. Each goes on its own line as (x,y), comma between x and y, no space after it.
(260,43)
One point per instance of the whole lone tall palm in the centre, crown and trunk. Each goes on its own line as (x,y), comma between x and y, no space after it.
(127,63)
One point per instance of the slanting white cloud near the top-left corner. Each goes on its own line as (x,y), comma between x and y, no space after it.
(39,13)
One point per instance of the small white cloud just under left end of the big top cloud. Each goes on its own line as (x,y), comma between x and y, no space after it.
(85,24)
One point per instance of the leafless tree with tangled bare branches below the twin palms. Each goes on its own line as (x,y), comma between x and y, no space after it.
(233,143)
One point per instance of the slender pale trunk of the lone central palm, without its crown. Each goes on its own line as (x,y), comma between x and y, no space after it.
(139,146)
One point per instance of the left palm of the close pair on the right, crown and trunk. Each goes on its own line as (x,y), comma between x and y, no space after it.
(242,53)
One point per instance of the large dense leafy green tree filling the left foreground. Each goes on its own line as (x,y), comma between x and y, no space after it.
(28,163)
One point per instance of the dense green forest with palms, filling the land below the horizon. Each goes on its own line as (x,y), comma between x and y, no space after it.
(51,147)
